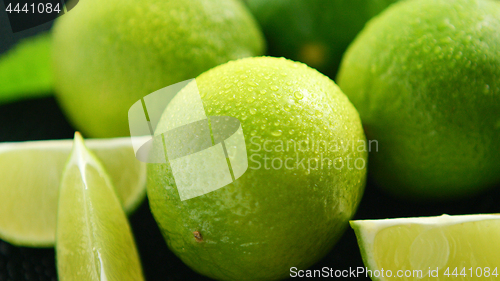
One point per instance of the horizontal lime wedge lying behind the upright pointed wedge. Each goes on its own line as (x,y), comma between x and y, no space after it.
(30,174)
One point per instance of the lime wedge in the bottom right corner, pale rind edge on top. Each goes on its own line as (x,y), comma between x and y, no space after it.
(430,248)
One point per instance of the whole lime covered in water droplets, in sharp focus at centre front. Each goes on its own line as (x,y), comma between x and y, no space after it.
(267,220)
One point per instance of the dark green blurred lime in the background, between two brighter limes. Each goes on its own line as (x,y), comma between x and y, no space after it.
(331,25)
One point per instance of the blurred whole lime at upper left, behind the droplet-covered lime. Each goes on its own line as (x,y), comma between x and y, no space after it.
(109,54)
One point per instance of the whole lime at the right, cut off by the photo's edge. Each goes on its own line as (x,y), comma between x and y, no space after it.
(425,77)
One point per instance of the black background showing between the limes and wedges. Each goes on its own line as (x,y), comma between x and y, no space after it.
(42,119)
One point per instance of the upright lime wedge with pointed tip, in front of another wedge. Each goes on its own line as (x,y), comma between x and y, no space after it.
(93,240)
